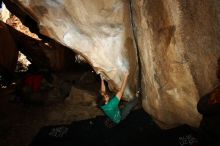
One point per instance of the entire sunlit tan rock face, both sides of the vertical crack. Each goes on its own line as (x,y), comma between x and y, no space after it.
(177,43)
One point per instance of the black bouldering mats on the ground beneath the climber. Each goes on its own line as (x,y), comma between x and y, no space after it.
(137,129)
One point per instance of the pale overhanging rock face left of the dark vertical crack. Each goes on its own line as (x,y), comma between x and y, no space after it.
(100,31)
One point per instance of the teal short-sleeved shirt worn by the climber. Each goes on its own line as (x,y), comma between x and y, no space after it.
(111,109)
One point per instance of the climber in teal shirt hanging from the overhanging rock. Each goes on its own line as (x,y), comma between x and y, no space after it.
(110,106)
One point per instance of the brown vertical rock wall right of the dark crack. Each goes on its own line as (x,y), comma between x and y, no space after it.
(179,47)
